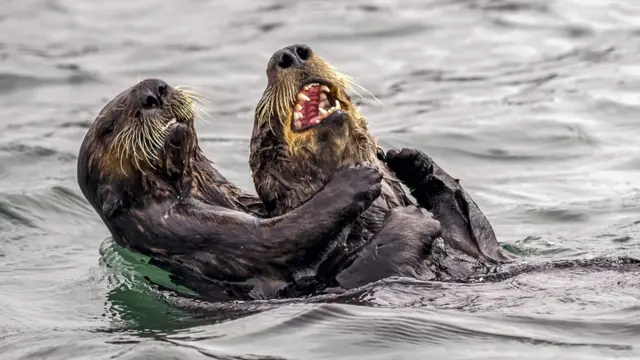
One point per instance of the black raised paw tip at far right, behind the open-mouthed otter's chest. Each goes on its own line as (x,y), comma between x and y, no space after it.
(411,166)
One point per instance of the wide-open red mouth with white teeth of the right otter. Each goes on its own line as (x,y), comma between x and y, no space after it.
(314,103)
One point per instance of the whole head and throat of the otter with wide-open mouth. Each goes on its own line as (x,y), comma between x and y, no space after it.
(307,111)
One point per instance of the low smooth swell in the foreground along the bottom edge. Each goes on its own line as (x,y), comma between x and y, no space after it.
(380,331)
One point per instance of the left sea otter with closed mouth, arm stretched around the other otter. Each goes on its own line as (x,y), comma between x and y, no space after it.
(143,172)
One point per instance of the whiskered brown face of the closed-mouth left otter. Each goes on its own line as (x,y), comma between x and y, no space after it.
(130,134)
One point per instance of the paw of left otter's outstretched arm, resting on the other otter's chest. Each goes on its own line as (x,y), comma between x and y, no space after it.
(362,182)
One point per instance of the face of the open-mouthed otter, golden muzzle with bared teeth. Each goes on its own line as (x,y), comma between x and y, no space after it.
(303,94)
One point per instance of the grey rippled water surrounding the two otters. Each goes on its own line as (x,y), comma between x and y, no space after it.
(533,104)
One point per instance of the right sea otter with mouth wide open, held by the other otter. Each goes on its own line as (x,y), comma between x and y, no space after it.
(306,127)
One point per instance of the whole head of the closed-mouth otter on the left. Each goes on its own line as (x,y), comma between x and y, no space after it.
(142,139)
